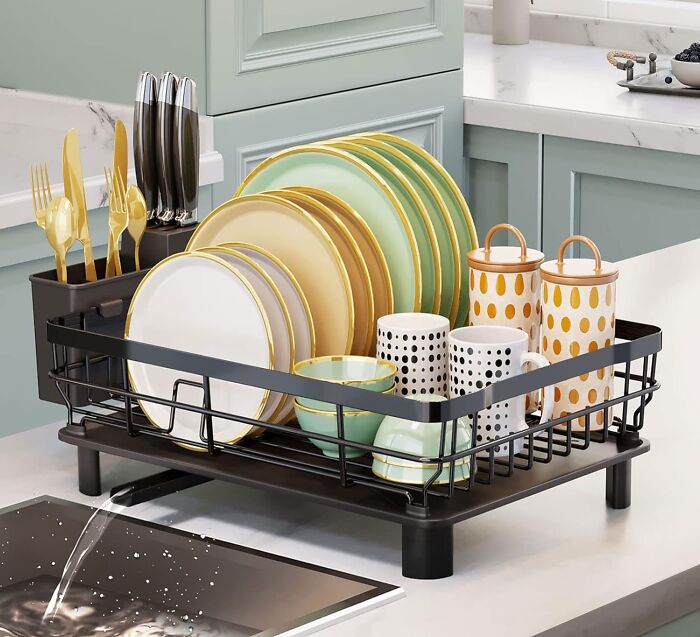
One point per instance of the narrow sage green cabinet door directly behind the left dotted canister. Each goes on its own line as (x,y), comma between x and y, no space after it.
(503,181)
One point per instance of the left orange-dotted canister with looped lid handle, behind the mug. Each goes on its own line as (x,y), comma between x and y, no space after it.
(504,289)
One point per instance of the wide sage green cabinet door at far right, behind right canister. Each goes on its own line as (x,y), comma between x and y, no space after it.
(628,200)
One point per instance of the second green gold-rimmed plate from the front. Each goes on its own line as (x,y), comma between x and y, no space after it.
(426,238)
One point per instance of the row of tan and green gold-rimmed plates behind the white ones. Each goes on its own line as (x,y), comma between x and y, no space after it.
(398,223)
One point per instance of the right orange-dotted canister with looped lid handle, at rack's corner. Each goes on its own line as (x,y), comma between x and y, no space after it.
(578,316)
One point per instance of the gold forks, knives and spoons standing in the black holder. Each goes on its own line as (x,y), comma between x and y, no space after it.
(65,219)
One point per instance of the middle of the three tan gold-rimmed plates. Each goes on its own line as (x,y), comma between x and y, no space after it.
(362,294)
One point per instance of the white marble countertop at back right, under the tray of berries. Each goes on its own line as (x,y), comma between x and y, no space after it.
(570,91)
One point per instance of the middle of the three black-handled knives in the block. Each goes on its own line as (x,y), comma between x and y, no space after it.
(165,110)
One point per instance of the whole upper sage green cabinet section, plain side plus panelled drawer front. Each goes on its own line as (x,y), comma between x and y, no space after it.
(242,53)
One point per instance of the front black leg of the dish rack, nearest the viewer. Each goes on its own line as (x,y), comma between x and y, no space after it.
(426,552)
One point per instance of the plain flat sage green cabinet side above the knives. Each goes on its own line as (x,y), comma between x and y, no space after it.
(96,50)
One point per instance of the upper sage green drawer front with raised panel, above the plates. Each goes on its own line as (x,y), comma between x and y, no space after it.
(263,52)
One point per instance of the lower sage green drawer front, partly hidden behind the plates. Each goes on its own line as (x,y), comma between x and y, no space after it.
(427,110)
